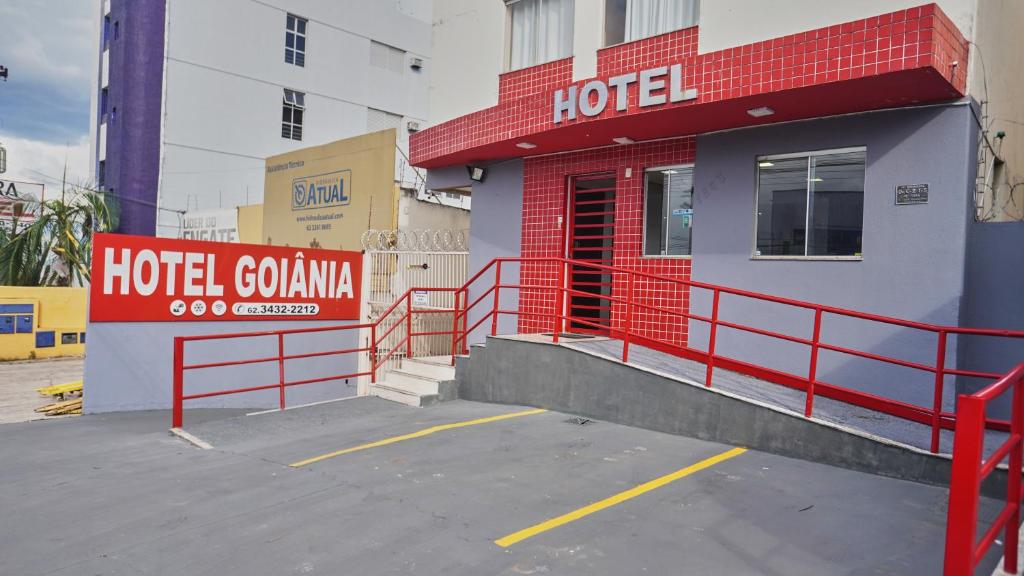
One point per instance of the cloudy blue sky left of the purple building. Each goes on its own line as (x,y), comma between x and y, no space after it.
(50,49)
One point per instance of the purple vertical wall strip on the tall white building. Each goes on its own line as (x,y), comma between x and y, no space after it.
(136,87)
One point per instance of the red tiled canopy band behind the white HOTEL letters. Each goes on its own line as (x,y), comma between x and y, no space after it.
(915,38)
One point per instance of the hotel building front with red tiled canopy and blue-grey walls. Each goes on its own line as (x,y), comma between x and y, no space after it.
(842,156)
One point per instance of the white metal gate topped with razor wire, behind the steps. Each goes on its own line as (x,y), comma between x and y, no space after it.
(400,261)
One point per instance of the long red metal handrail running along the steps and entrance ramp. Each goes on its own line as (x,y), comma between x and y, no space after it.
(462,328)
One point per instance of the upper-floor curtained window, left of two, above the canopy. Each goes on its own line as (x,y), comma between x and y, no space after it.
(541,31)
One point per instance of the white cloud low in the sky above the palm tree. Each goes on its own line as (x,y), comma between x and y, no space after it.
(35,161)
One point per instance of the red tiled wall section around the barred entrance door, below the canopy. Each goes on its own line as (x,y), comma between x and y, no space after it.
(544,211)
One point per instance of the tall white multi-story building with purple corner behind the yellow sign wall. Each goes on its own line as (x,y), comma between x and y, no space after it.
(192,97)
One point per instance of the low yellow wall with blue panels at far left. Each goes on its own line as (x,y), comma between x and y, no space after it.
(62,311)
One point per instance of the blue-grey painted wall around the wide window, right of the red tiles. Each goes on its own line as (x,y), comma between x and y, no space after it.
(914,257)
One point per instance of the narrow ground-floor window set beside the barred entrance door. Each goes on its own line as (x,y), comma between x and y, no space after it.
(669,212)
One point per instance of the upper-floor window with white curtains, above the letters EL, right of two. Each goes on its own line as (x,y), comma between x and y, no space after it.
(626,21)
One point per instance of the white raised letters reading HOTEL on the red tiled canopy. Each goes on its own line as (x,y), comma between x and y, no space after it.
(657,87)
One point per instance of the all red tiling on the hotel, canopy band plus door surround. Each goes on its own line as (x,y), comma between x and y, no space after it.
(916,38)
